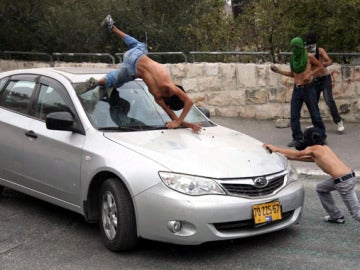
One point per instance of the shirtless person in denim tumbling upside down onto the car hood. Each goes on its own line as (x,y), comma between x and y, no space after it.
(137,64)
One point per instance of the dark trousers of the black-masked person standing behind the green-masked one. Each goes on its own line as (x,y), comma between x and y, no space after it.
(324,84)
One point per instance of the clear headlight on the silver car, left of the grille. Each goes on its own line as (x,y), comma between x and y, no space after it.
(190,184)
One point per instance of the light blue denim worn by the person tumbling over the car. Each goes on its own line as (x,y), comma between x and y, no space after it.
(128,69)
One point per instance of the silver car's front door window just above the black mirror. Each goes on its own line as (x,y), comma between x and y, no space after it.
(49,101)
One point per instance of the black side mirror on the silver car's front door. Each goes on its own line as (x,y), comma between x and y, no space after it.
(60,121)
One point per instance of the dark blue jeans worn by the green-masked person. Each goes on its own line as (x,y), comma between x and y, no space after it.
(308,95)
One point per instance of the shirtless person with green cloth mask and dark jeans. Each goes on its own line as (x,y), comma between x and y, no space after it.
(304,67)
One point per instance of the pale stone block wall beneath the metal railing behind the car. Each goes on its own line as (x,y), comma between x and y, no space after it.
(246,90)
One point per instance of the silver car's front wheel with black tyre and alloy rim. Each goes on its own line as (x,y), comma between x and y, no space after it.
(117,222)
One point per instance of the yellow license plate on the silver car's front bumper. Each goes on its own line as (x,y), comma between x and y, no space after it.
(267,212)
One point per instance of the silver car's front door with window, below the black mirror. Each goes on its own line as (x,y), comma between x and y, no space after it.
(52,159)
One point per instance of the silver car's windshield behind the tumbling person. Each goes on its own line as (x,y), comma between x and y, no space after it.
(130,108)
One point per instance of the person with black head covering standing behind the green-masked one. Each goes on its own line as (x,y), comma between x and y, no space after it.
(323,82)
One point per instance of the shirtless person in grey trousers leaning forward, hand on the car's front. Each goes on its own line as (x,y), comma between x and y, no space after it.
(342,178)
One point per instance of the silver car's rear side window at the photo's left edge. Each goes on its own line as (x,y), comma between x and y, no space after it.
(17,95)
